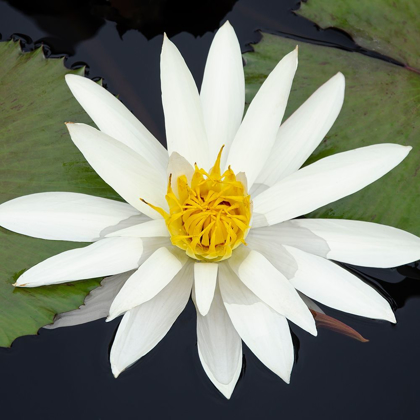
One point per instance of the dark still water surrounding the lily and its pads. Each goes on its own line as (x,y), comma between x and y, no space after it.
(65,373)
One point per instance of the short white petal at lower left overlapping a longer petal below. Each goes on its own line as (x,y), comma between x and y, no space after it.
(162,266)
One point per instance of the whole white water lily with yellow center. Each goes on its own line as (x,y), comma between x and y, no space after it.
(212,216)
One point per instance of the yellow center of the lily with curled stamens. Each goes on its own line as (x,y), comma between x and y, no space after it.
(209,218)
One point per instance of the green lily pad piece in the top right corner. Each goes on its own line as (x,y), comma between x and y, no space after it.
(389,27)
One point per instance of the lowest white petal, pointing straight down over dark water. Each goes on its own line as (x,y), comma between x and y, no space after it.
(219,347)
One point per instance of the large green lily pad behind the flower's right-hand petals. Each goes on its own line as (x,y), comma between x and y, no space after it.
(382,105)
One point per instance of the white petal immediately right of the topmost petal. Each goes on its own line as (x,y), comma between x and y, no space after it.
(256,136)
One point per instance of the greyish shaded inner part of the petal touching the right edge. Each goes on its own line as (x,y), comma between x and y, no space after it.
(290,233)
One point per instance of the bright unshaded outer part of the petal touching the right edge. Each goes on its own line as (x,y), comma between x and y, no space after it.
(363,243)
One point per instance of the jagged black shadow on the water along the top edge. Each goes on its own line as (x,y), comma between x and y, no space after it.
(69,22)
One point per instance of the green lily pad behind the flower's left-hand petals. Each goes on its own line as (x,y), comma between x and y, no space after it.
(37,155)
